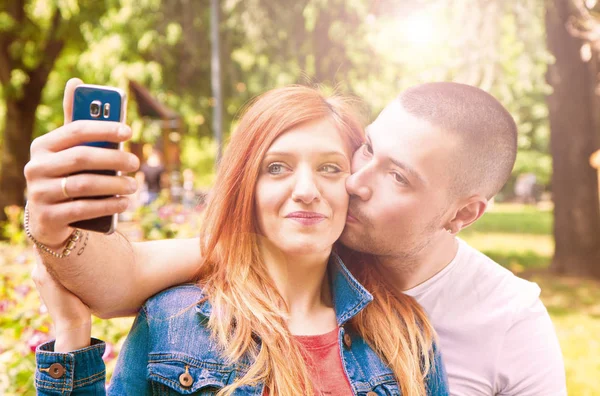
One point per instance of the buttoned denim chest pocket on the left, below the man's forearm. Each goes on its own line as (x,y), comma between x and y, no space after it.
(182,375)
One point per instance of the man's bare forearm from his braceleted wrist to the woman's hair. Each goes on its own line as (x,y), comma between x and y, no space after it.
(114,276)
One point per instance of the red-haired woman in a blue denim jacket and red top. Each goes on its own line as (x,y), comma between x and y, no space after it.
(275,311)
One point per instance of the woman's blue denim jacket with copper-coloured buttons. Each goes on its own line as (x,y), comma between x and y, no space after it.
(169,351)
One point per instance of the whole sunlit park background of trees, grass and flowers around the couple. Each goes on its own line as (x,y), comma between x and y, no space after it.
(190,65)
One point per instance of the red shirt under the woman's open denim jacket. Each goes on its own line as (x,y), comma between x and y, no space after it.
(324,362)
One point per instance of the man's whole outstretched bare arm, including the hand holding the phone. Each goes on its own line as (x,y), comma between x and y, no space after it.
(108,273)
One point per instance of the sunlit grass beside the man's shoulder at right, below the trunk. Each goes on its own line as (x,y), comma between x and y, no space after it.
(520,238)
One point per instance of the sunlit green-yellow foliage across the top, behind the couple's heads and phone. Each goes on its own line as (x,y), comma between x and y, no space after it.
(359,47)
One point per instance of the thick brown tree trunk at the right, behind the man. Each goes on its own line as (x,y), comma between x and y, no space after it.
(573,139)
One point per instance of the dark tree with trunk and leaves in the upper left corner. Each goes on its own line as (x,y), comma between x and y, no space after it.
(32,37)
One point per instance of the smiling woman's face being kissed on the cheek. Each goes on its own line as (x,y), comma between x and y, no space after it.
(301,199)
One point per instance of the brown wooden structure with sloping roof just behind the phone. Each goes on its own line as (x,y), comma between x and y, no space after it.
(171,126)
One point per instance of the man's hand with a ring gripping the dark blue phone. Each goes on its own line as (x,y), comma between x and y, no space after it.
(54,175)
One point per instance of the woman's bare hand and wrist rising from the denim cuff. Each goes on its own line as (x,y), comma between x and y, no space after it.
(72,318)
